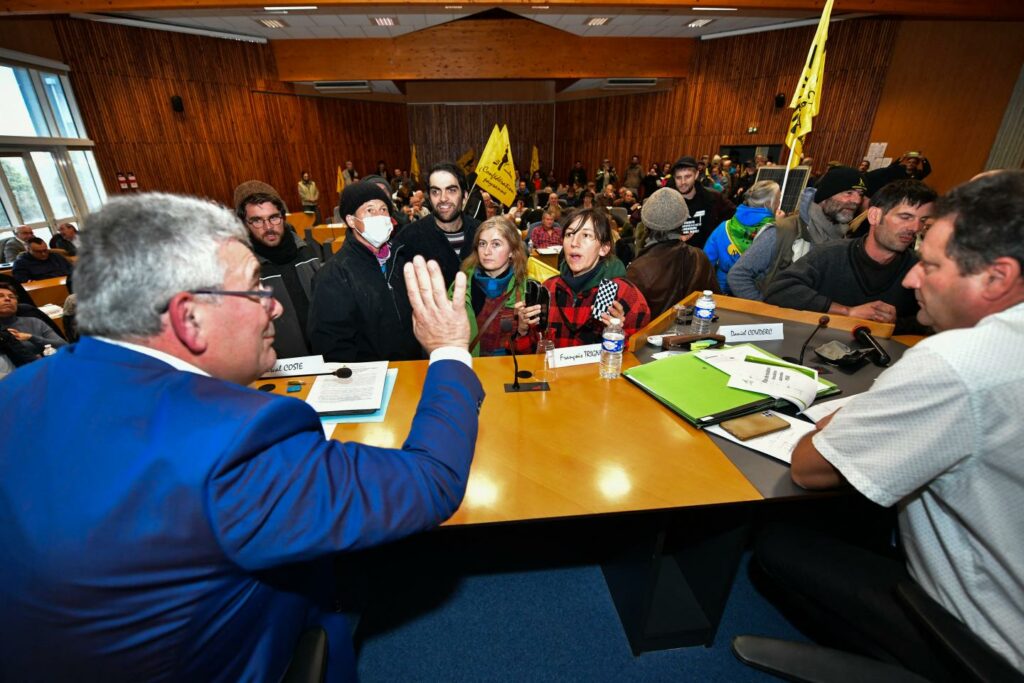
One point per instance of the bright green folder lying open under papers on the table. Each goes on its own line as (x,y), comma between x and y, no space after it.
(698,392)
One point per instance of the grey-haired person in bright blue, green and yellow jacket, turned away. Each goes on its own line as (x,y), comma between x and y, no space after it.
(734,237)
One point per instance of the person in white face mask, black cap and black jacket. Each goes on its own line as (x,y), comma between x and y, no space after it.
(360,310)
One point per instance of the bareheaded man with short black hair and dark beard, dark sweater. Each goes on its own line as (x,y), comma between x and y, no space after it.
(447,235)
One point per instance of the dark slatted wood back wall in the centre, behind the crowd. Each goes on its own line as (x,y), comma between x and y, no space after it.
(444,133)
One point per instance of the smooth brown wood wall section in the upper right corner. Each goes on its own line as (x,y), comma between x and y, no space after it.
(947,93)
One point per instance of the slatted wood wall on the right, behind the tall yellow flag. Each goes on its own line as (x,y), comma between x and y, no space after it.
(733,87)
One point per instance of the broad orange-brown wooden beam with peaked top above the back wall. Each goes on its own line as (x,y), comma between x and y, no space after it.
(478,50)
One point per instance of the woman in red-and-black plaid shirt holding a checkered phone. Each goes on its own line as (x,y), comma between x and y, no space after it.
(586,249)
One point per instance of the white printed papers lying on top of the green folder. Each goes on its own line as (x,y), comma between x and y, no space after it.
(753,370)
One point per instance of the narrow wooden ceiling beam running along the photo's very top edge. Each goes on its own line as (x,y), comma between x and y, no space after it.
(968,10)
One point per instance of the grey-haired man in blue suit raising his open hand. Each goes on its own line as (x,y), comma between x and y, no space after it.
(182,528)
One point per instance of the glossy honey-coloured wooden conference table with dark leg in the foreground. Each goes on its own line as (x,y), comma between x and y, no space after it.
(592,449)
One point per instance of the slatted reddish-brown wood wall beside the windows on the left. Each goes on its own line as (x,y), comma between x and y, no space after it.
(239,122)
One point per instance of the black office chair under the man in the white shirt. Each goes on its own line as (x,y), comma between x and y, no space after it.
(814,664)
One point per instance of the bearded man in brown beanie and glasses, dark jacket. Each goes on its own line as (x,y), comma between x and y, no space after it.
(286,263)
